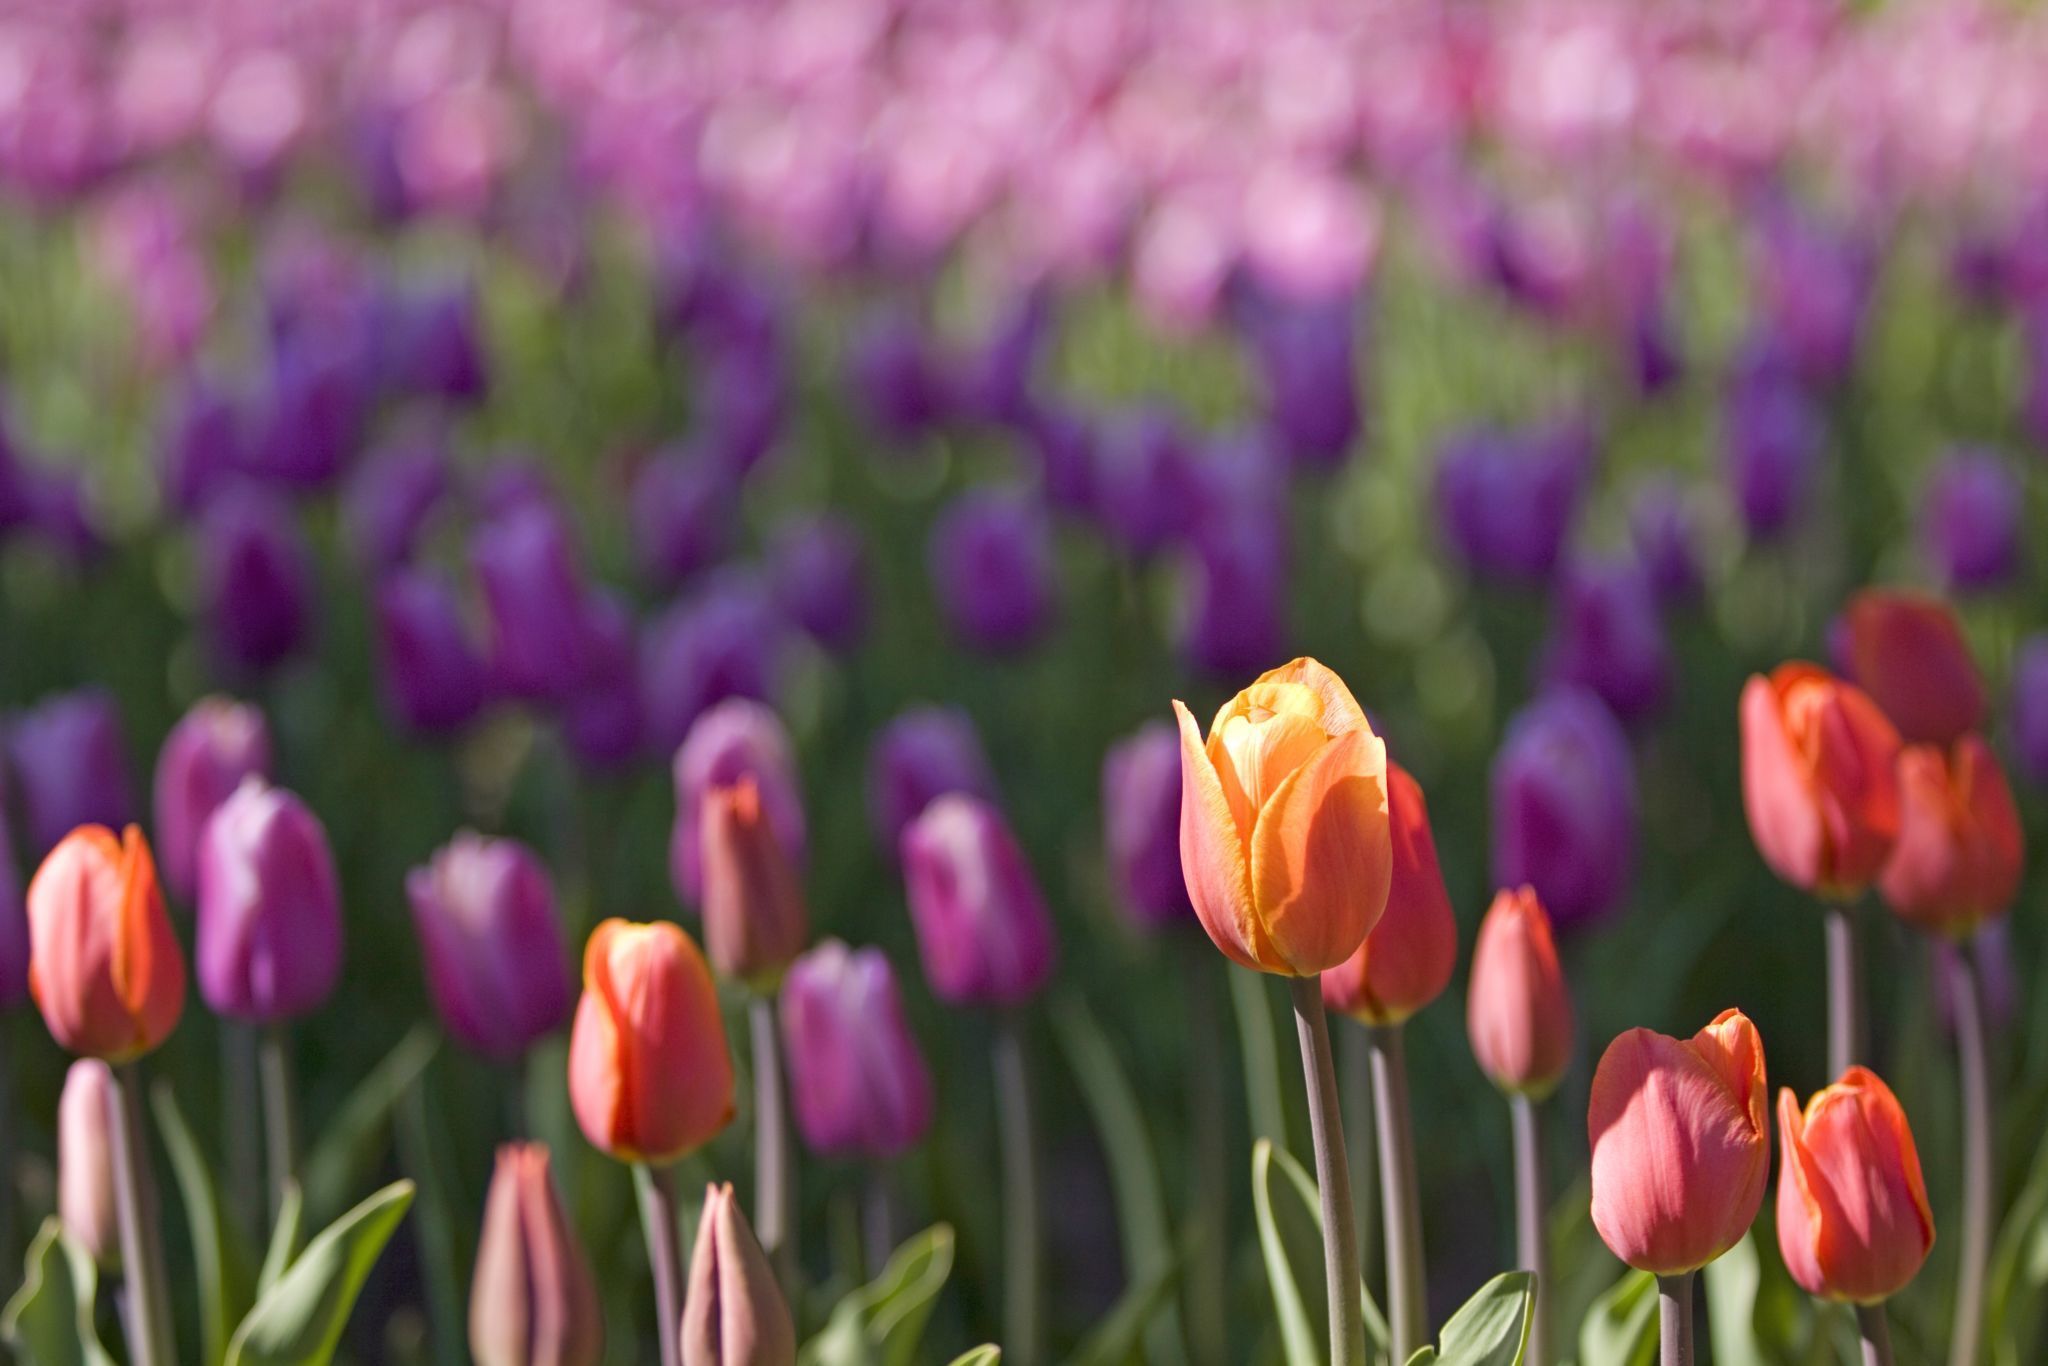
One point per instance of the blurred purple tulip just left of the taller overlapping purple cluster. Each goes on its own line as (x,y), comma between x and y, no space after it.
(431,675)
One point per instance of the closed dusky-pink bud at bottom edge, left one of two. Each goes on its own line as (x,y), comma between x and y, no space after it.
(534,1301)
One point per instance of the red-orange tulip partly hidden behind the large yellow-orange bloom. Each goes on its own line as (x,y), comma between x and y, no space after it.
(1408,957)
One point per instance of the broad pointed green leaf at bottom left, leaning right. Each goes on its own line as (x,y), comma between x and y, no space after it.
(302,1318)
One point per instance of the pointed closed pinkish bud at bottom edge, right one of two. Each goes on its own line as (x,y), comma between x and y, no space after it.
(734,1314)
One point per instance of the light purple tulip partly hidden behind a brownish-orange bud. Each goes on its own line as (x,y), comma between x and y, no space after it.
(734,740)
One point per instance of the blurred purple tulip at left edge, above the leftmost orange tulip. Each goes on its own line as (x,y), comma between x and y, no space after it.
(71,765)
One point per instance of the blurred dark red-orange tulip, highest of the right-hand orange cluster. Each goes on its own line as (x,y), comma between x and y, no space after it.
(1908,652)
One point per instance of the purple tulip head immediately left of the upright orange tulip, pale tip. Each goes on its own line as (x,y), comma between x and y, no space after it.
(493,943)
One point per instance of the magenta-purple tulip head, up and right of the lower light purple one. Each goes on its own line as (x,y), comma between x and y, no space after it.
(984,933)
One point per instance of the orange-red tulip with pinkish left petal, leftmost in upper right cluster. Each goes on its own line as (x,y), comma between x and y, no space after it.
(1818,779)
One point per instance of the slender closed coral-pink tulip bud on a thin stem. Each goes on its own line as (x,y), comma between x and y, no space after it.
(1519,1009)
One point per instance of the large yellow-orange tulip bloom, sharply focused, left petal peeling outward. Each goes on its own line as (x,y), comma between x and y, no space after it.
(1283,822)
